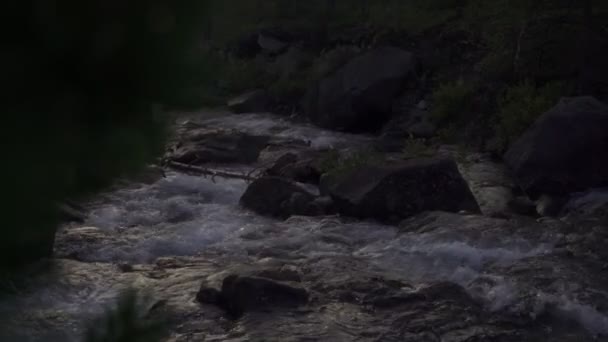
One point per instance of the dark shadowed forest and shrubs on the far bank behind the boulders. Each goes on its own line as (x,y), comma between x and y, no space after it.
(501,63)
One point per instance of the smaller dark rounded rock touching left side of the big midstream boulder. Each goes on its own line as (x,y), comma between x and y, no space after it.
(277,197)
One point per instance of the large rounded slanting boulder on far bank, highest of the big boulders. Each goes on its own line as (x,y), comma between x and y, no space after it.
(359,96)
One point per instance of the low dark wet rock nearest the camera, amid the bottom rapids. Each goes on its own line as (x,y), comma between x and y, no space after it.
(240,294)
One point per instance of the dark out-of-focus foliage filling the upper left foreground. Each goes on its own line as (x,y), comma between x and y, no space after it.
(85,87)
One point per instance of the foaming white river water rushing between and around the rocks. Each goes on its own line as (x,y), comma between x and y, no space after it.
(434,277)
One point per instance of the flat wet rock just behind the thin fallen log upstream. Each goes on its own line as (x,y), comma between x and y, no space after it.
(200,147)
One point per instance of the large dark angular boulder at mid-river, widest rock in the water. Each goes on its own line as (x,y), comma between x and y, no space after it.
(395,191)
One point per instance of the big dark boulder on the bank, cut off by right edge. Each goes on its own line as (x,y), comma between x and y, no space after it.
(565,151)
